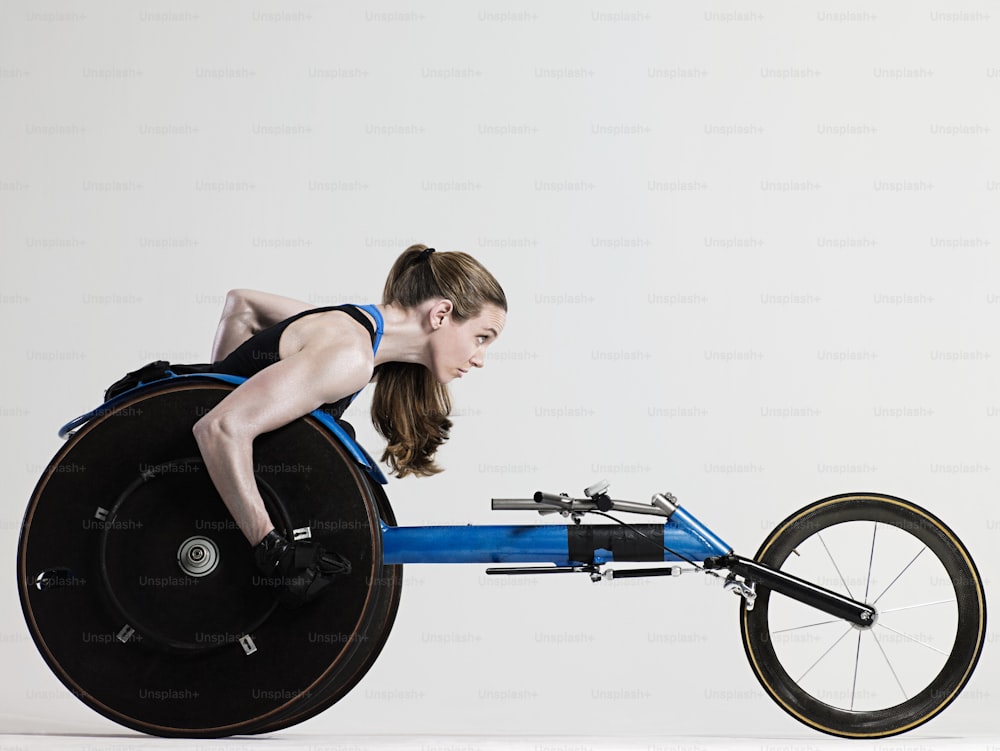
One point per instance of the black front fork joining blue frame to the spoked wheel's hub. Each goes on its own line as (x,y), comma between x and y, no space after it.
(754,574)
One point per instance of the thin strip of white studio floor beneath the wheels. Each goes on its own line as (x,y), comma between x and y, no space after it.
(290,741)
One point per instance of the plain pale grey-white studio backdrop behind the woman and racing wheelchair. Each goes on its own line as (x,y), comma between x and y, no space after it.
(749,251)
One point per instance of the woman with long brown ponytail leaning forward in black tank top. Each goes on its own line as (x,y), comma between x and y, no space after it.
(439,313)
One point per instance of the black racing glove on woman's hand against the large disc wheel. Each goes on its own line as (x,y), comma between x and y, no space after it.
(301,568)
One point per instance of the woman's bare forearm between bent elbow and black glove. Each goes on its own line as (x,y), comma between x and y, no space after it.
(230,465)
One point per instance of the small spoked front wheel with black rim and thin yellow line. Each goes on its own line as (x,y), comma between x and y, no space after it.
(926,639)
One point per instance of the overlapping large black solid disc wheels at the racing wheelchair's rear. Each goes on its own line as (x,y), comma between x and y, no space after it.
(141,594)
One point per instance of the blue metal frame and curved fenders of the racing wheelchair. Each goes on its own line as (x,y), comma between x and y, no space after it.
(687,537)
